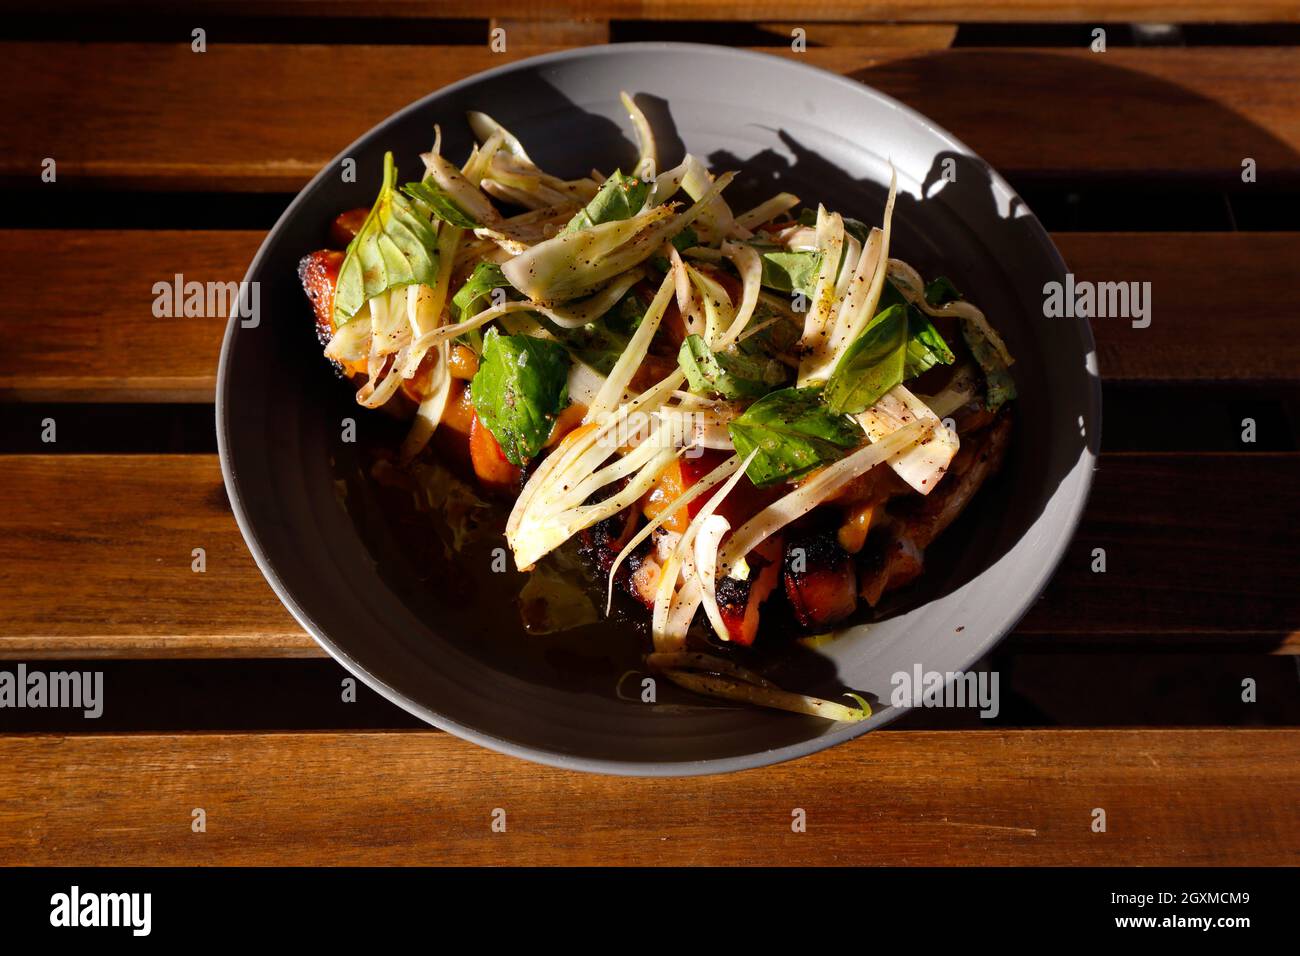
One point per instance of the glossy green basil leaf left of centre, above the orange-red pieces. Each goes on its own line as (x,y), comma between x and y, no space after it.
(521,387)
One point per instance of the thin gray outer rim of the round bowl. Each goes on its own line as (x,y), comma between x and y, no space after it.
(601,765)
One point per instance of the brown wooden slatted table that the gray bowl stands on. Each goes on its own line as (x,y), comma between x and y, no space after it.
(96,548)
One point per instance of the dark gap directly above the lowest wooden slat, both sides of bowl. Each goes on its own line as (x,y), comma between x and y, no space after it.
(1082,689)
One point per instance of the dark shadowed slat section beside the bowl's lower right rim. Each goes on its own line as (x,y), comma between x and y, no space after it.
(1195,546)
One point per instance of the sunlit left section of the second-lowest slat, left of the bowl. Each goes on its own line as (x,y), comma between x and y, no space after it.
(99,555)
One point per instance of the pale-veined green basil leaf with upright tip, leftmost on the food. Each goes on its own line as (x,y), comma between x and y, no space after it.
(395,248)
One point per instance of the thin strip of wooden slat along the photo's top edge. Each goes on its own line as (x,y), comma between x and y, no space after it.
(956,11)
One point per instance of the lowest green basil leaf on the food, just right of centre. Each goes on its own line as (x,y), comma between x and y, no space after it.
(795,432)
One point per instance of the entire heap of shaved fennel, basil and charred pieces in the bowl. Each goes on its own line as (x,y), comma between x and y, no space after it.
(587,349)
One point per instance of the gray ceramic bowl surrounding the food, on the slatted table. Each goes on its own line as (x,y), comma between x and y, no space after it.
(447,646)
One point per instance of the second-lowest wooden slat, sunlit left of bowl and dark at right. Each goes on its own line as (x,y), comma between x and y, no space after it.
(96,560)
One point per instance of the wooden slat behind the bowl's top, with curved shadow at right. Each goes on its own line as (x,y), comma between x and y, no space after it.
(253,118)
